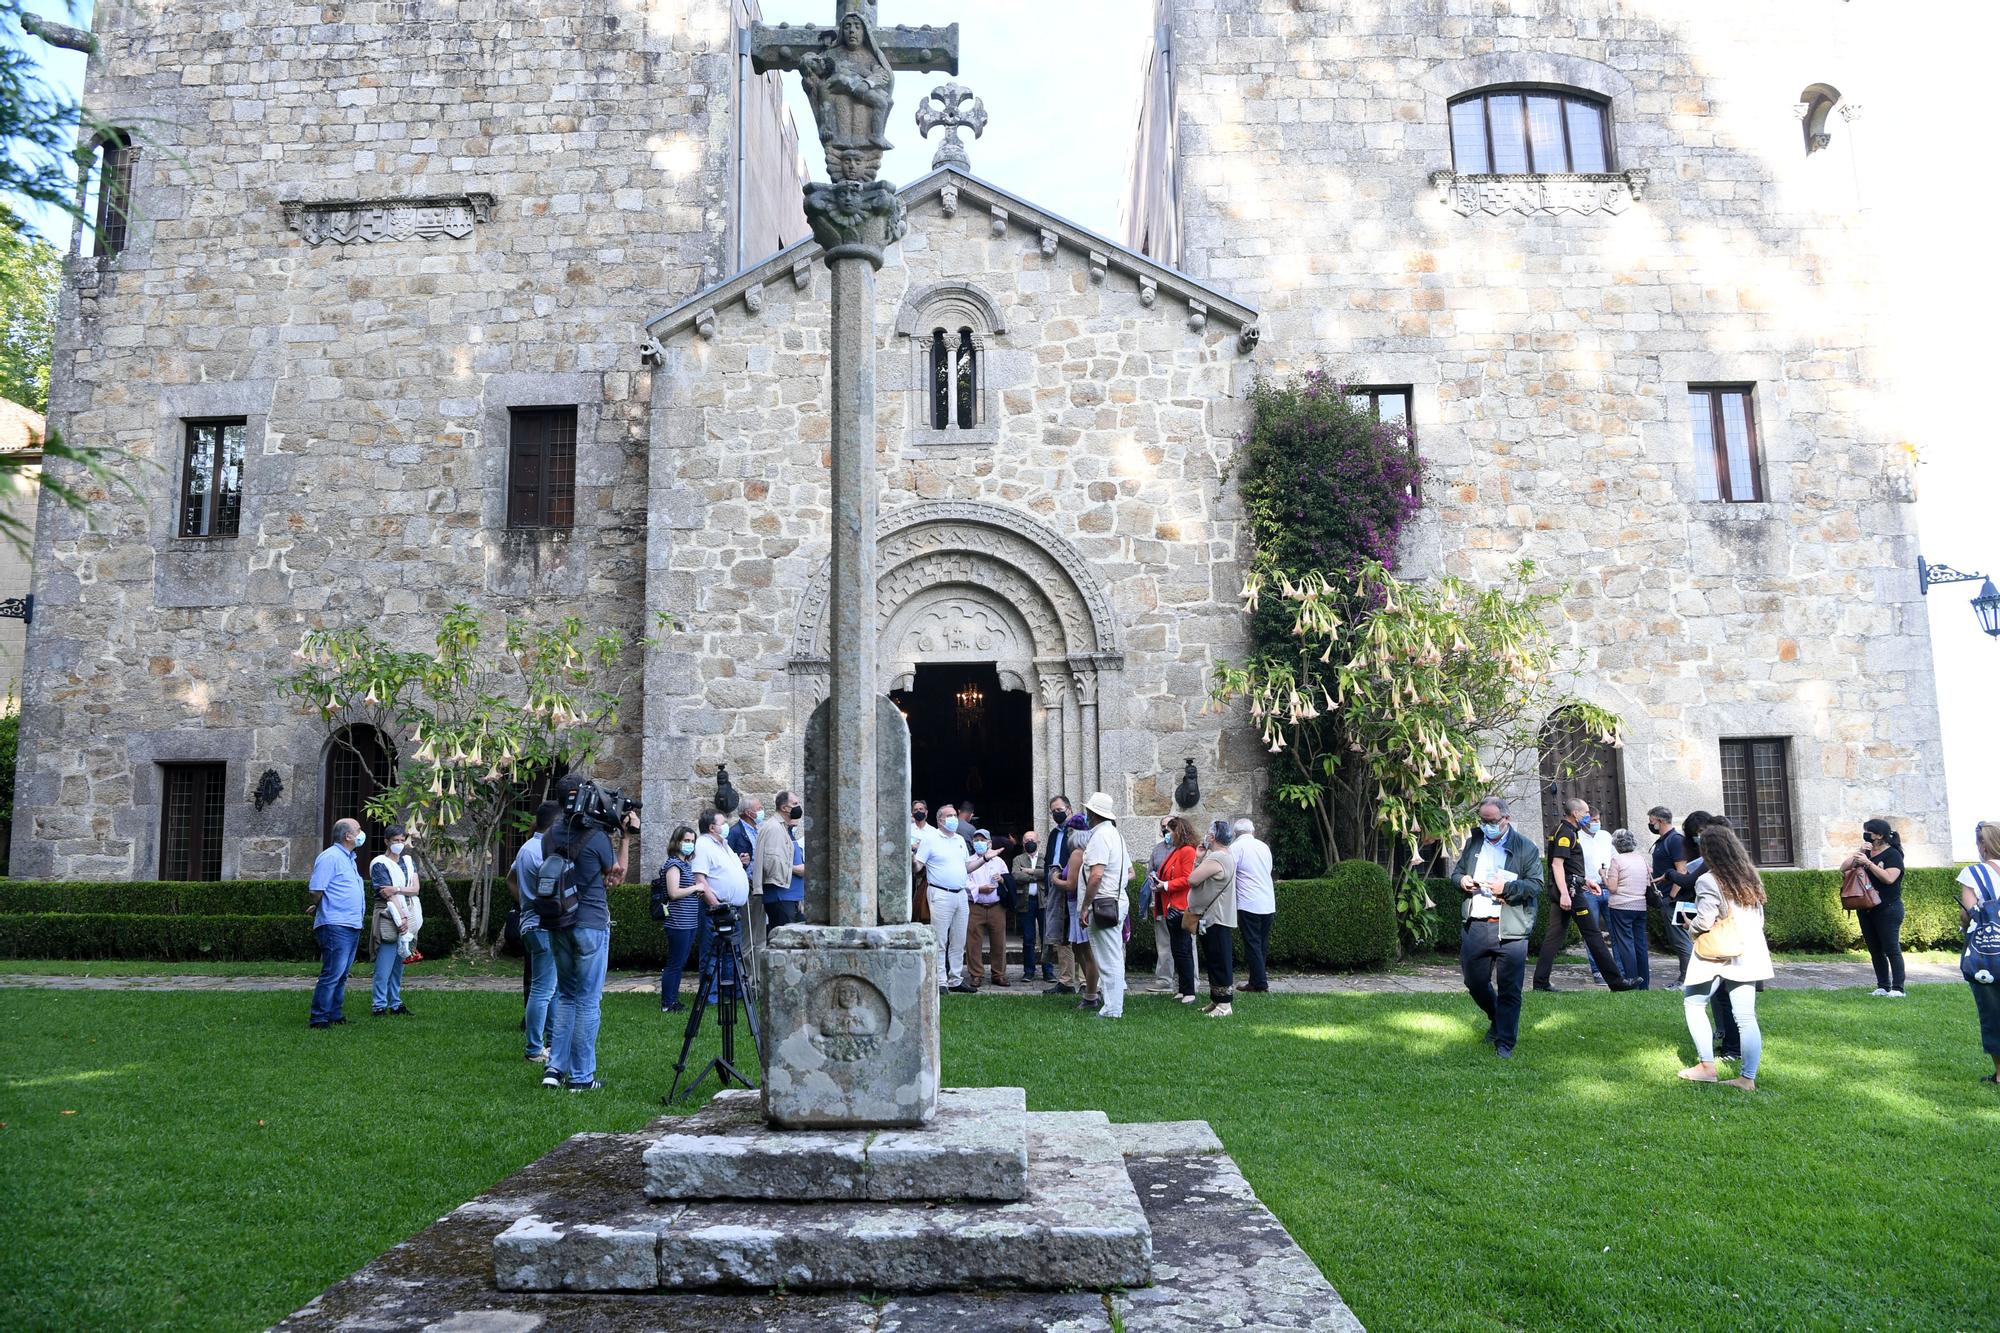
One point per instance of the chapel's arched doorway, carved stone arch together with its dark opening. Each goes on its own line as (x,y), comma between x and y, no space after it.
(1001,647)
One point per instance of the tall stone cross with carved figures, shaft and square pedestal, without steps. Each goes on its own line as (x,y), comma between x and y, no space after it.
(851,1006)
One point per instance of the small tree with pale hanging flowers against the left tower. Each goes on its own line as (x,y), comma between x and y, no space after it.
(483,722)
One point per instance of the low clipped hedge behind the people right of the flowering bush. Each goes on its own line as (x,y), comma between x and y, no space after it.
(1803,912)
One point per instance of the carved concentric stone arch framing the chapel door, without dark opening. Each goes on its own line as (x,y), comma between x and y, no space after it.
(963,581)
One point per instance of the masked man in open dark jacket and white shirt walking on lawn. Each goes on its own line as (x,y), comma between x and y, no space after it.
(1501,878)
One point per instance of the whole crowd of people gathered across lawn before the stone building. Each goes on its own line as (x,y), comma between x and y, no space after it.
(1065,894)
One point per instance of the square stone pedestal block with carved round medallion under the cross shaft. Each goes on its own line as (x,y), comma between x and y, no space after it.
(851,1028)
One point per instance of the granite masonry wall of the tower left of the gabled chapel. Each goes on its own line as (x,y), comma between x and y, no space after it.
(375,357)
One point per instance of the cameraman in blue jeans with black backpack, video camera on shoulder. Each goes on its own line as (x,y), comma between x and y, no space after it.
(583,952)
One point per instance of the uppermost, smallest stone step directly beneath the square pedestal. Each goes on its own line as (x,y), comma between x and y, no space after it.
(977,1148)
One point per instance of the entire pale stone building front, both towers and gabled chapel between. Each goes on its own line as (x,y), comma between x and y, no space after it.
(507,303)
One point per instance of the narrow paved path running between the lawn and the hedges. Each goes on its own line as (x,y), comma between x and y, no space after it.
(1421,980)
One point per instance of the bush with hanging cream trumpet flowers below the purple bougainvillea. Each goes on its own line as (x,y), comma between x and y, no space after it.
(1401,704)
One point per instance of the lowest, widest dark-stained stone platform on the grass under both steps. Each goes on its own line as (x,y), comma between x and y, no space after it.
(1219,1262)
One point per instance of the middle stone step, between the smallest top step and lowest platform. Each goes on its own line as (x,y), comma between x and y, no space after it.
(1081,1226)
